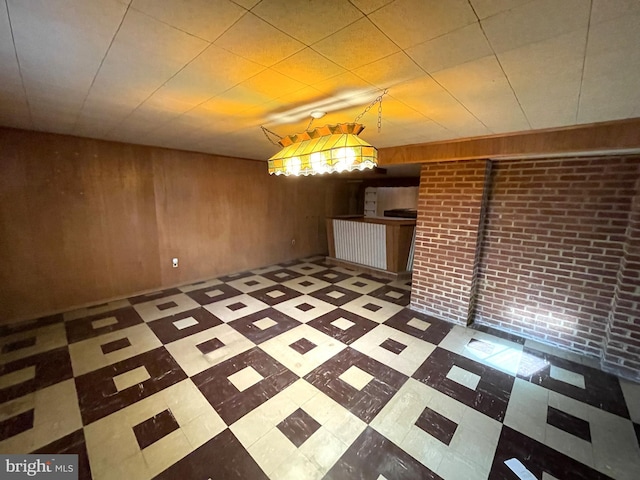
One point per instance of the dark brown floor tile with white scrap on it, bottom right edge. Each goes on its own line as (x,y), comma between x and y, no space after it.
(537,458)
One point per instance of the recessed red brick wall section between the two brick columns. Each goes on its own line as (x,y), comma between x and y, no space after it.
(553,243)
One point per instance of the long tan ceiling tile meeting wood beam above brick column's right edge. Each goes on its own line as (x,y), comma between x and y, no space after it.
(494,104)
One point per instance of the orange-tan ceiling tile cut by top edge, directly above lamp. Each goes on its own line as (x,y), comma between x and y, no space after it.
(310,21)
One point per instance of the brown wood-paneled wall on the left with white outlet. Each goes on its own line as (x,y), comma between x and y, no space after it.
(82,221)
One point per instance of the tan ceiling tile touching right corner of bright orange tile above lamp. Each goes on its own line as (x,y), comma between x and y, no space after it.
(460,46)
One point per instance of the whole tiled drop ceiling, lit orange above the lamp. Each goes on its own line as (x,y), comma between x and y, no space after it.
(205,74)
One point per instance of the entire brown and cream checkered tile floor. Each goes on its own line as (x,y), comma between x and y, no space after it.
(305,371)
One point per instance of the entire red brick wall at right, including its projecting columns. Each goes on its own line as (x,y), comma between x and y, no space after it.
(559,255)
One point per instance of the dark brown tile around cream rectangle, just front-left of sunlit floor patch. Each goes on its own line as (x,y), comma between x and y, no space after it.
(491,395)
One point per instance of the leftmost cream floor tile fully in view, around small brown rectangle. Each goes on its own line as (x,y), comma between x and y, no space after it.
(87,355)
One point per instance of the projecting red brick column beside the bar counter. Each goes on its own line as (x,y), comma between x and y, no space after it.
(448,235)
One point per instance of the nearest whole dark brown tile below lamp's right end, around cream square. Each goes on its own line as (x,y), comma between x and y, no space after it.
(367,402)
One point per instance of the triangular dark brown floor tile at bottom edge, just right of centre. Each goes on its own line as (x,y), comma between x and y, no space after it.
(372,456)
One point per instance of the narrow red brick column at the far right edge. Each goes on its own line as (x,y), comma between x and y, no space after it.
(622,344)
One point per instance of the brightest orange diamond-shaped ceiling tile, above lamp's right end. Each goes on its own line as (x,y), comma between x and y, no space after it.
(358,44)
